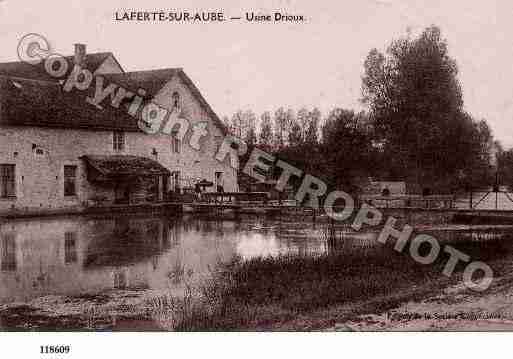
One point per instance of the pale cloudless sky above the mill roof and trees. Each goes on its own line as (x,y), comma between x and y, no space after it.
(262,66)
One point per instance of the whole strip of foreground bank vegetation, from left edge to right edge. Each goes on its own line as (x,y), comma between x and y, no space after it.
(293,292)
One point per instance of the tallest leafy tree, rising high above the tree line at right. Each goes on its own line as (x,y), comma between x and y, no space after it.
(415,102)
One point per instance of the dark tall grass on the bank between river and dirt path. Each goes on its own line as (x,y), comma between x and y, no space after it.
(264,292)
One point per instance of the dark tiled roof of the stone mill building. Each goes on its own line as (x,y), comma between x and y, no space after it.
(42,102)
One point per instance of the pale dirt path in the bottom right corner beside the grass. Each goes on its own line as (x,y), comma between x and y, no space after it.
(455,309)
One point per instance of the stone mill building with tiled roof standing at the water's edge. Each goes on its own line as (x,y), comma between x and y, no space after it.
(58,151)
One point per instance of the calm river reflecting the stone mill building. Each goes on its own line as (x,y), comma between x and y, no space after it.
(66,266)
